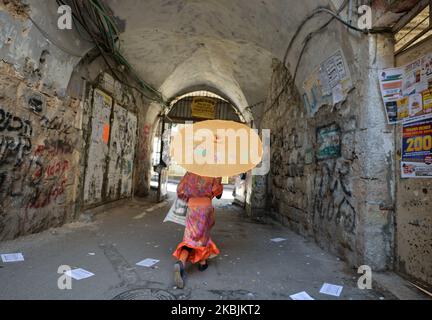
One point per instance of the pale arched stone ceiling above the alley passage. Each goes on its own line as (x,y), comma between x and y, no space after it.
(223,44)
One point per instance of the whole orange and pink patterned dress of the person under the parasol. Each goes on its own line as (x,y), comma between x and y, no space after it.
(198,192)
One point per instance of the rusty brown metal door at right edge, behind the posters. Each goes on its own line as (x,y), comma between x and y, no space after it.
(413,210)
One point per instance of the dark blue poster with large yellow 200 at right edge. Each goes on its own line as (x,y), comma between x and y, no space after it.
(417,149)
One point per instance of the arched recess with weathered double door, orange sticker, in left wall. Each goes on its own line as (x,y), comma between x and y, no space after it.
(111,141)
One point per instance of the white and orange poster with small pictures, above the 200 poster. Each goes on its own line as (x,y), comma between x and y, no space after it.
(406,91)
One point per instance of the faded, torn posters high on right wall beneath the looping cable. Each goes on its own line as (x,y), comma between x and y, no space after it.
(329,84)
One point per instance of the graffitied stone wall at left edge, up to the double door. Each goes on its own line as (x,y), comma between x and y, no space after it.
(39,129)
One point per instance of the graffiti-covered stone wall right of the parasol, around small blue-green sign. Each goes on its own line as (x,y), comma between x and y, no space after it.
(313,197)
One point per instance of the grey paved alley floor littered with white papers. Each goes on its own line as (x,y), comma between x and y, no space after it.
(249,267)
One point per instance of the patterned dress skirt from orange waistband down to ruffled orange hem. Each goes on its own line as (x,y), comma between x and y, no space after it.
(199,222)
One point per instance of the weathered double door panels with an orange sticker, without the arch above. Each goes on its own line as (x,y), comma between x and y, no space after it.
(111,152)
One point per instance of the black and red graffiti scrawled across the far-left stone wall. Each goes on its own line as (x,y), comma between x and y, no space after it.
(37,166)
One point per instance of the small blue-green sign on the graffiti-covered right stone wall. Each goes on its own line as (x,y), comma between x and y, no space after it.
(329,142)
